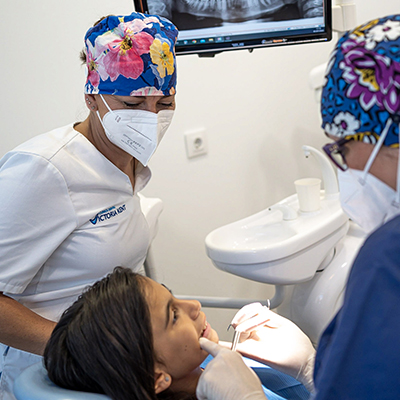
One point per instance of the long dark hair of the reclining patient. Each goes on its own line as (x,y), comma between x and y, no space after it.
(103,343)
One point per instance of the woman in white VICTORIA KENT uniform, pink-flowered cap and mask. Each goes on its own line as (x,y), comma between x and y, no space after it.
(69,197)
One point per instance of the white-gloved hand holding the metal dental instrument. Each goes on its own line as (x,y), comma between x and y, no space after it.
(278,342)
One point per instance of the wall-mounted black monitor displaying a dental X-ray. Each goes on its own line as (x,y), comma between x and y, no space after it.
(208,27)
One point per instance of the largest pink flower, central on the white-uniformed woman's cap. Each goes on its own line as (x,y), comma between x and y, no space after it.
(124,51)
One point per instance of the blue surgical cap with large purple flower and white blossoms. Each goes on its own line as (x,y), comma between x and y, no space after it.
(362,83)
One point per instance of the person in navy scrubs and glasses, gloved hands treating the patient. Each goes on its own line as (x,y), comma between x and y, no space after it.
(358,356)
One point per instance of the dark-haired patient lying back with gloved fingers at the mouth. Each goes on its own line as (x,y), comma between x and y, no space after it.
(128,337)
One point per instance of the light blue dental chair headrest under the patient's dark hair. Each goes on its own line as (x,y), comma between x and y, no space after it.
(34,384)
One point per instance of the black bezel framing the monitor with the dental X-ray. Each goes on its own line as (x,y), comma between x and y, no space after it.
(210,49)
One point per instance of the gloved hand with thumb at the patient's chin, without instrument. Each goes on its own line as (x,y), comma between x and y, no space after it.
(227,377)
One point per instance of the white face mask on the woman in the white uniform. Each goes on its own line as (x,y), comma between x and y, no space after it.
(137,132)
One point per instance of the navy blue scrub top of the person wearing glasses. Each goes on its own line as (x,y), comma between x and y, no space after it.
(358,355)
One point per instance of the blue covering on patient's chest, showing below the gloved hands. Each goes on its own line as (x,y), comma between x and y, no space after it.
(276,385)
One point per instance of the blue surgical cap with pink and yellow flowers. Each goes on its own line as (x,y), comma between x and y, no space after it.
(131,56)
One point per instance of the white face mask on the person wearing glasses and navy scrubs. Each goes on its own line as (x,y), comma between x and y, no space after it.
(367,200)
